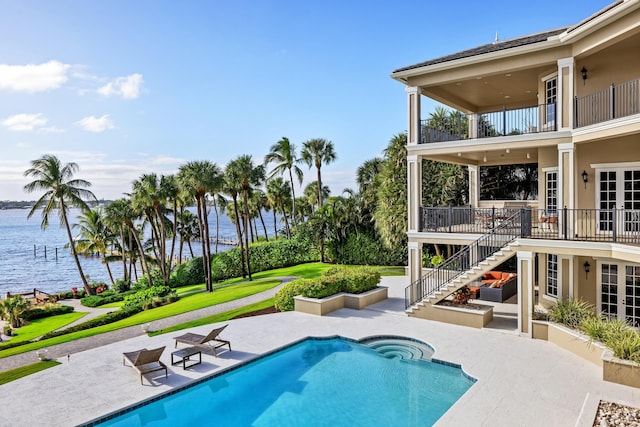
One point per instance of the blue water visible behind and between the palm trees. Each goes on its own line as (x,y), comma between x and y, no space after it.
(24,266)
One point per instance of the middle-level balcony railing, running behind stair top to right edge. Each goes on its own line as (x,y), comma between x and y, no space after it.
(601,225)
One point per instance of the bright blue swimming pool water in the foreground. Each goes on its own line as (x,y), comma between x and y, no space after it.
(316,382)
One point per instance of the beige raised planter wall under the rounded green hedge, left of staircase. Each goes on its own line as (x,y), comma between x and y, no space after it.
(322,306)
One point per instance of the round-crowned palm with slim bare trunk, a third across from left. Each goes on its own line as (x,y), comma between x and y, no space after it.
(199,178)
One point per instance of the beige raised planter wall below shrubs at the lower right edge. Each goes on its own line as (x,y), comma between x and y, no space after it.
(613,369)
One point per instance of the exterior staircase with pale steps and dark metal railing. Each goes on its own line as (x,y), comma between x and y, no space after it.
(464,267)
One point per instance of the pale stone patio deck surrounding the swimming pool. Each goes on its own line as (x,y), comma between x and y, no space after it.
(521,381)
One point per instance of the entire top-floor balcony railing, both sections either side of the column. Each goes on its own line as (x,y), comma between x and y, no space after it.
(618,100)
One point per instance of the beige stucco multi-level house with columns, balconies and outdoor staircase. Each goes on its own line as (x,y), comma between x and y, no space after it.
(568,101)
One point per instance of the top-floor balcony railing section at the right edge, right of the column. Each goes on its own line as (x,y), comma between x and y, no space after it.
(619,100)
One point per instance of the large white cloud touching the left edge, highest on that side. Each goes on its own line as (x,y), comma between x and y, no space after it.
(33,78)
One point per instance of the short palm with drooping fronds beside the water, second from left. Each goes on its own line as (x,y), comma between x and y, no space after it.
(95,236)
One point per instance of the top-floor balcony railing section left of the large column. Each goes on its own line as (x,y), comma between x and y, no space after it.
(519,121)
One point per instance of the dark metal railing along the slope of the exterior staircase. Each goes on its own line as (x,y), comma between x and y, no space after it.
(468,257)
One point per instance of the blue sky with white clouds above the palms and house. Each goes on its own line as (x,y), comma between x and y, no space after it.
(124,88)
